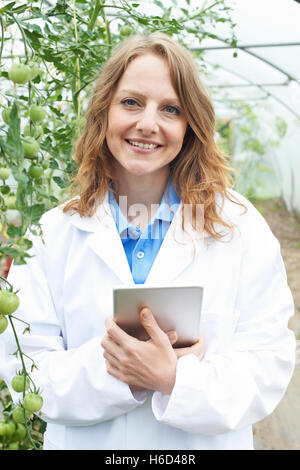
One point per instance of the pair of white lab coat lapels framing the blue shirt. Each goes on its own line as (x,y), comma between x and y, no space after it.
(177,250)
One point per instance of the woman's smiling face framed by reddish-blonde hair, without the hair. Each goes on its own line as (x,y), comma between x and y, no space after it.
(146,123)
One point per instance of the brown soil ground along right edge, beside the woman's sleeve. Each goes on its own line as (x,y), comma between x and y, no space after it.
(281,430)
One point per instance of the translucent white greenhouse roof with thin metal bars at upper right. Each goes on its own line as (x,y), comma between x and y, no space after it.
(268,53)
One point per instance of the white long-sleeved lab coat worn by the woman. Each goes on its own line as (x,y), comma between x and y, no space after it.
(66,294)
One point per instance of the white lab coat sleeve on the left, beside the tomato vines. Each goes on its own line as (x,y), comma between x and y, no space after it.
(74,383)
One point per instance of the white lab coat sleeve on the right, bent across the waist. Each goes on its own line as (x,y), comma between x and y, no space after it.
(243,383)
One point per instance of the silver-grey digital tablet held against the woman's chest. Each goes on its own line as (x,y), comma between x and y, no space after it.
(174,307)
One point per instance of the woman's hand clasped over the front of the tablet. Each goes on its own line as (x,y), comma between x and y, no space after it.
(141,364)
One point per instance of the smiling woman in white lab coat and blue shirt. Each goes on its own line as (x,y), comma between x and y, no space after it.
(149,140)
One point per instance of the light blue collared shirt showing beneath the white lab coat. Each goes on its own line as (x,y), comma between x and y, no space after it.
(141,247)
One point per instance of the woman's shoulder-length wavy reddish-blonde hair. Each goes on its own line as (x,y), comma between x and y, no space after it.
(199,171)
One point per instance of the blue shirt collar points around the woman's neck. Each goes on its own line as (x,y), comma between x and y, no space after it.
(167,208)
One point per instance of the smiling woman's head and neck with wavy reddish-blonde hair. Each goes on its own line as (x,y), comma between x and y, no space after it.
(150,90)
